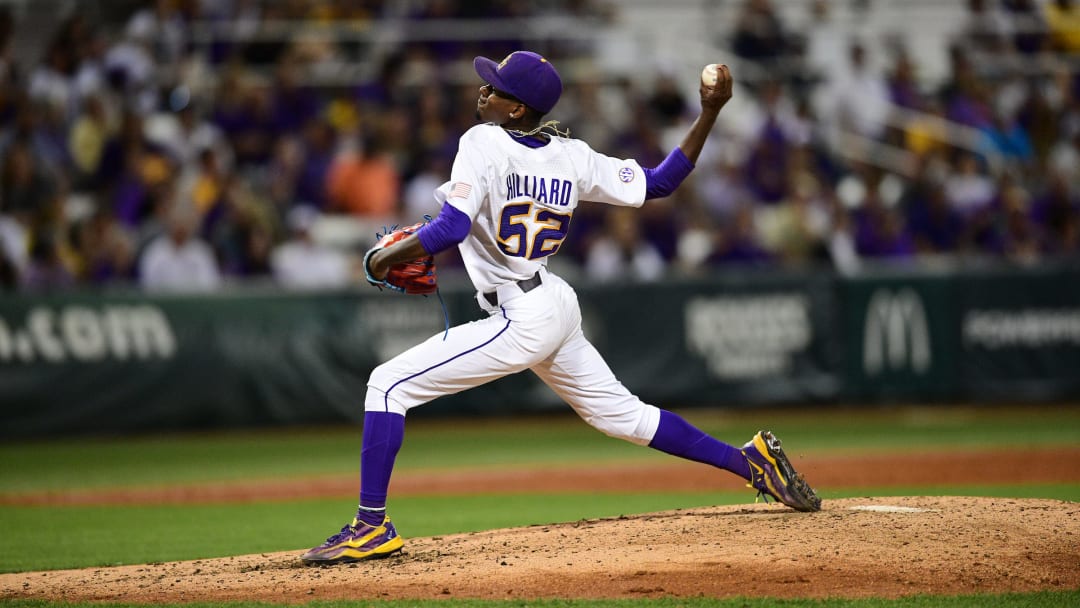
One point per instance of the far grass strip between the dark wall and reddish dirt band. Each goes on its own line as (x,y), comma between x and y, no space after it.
(74,464)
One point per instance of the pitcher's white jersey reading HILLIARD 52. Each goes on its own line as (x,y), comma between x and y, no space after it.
(521,200)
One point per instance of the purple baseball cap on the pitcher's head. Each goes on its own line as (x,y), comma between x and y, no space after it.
(524,75)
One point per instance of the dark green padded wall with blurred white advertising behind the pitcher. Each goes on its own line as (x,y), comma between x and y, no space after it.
(120,362)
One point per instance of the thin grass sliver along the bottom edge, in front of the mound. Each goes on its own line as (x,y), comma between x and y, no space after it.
(1043,600)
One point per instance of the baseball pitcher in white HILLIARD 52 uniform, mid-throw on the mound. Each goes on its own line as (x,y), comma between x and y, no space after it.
(515,187)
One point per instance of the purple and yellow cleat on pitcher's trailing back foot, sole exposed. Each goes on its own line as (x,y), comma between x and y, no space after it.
(773,475)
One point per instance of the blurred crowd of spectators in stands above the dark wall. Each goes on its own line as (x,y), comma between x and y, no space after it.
(145,152)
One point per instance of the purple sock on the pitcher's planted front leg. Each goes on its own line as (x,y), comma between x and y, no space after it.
(384,434)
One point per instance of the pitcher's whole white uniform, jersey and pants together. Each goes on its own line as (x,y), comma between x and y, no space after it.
(521,202)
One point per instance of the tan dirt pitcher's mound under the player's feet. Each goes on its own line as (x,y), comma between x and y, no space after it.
(855,548)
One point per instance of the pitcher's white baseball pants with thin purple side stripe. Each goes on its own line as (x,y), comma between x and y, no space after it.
(538,331)
